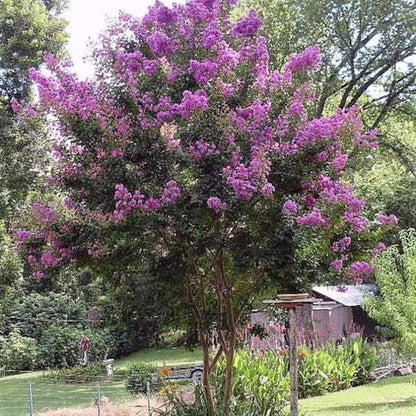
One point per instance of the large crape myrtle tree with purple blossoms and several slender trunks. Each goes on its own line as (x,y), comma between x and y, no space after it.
(187,156)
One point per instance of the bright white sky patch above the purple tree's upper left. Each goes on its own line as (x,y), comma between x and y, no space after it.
(87,18)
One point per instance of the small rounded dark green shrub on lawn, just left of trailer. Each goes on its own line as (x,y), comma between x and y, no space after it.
(138,377)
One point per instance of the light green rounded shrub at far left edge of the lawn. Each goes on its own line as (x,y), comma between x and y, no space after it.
(20,353)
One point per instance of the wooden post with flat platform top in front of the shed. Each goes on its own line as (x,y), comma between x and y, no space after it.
(292,302)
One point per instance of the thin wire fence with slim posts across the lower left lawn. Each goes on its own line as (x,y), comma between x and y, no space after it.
(31,394)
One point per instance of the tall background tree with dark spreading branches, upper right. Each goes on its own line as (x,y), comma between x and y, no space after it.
(368,58)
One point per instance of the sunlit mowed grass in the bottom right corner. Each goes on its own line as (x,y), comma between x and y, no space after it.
(395,396)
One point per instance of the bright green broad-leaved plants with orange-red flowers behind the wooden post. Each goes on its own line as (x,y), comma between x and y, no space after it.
(262,385)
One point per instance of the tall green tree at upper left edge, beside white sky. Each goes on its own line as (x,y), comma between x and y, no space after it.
(28,29)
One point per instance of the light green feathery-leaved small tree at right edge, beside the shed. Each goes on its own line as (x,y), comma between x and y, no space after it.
(394,306)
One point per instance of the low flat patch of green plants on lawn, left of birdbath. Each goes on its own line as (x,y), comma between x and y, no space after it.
(87,374)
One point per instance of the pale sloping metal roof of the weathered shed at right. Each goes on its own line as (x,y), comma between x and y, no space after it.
(352,296)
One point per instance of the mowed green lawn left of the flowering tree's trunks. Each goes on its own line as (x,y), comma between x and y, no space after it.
(14,390)
